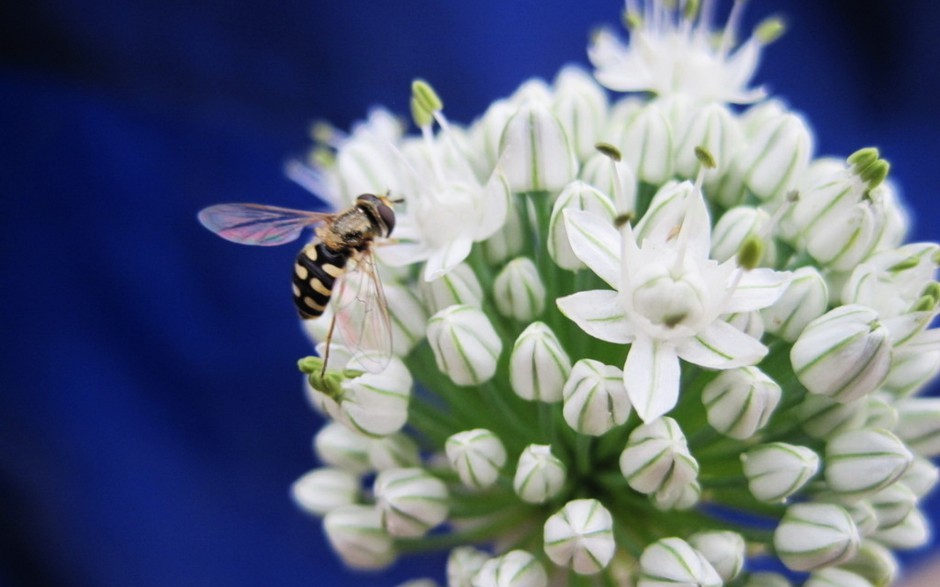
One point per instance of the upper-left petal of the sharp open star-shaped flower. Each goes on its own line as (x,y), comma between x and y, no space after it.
(596,242)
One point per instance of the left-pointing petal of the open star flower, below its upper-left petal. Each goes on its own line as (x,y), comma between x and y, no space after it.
(599,313)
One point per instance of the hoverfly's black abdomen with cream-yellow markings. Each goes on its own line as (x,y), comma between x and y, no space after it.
(315,272)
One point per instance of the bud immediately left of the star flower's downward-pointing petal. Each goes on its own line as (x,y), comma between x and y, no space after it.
(595,398)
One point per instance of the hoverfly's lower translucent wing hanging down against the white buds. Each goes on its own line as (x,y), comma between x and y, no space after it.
(362,314)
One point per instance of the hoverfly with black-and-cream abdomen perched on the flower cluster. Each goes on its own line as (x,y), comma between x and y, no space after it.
(341,249)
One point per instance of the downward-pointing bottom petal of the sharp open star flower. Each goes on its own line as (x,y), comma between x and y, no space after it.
(651,376)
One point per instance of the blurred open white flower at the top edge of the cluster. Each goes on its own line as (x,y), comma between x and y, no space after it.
(672,52)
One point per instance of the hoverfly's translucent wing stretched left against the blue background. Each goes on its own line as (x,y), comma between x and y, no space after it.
(256,224)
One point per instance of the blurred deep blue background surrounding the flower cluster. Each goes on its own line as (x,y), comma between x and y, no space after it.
(151,415)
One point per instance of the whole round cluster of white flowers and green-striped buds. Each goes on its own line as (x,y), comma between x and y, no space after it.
(612,318)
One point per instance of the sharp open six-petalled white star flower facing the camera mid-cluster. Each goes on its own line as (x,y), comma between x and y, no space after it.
(667,301)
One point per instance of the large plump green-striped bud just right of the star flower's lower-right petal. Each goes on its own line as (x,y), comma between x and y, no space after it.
(844,354)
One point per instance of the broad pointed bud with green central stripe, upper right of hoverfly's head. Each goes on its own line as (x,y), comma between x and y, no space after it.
(535,153)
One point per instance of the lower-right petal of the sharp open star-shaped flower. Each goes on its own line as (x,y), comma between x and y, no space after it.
(721,346)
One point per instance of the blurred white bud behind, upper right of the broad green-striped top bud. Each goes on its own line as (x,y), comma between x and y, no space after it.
(581,106)
